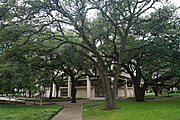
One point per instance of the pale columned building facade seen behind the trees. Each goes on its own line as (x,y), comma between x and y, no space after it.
(88,90)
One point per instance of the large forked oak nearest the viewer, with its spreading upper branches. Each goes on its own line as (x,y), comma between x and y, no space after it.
(117,17)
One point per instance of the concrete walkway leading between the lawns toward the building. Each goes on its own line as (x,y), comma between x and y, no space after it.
(72,111)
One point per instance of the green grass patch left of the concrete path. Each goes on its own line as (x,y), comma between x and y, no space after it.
(31,112)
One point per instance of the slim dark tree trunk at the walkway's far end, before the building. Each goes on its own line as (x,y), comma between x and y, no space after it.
(73,90)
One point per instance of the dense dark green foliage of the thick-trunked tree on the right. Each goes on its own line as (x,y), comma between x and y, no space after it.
(155,46)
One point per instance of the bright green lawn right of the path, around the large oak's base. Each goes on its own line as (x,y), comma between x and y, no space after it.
(159,109)
